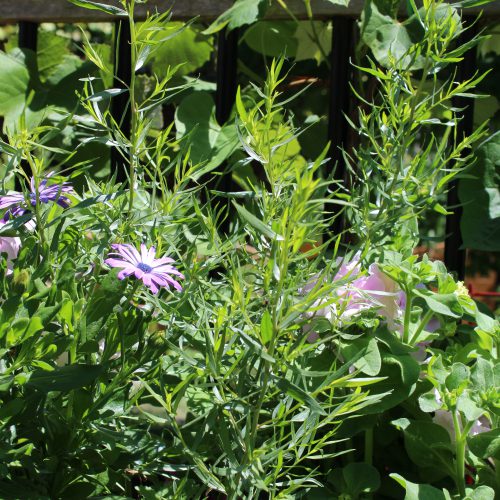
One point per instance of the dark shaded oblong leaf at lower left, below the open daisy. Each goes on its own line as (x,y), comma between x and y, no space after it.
(64,378)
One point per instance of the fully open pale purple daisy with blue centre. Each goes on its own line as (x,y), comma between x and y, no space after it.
(151,271)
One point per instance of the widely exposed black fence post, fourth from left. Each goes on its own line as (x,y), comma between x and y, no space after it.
(339,101)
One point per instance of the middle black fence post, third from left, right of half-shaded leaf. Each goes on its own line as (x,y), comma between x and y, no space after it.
(227,84)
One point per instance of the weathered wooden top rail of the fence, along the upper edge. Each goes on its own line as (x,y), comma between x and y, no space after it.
(13,11)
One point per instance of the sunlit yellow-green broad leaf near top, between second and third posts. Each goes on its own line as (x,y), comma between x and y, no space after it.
(188,48)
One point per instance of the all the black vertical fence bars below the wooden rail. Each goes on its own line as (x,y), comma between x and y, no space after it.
(339,105)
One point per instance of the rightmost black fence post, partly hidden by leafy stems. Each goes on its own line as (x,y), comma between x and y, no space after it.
(454,254)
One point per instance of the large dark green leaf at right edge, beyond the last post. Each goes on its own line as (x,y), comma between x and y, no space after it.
(480,197)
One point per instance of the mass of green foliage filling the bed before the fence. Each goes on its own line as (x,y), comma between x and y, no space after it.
(240,386)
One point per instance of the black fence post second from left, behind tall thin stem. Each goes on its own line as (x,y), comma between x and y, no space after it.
(120,104)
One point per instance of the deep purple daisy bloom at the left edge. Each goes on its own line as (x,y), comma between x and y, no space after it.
(17,203)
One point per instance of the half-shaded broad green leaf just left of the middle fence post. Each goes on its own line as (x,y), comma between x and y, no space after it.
(209,142)
